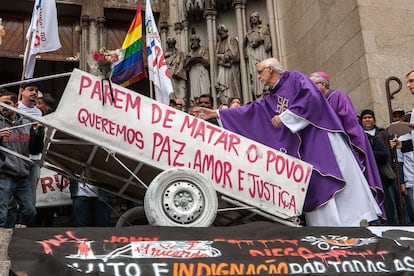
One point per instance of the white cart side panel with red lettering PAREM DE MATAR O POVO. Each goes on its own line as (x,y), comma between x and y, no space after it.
(155,134)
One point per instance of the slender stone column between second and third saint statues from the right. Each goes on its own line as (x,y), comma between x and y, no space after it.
(210,16)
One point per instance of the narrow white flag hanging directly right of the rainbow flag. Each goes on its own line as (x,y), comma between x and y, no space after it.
(157,67)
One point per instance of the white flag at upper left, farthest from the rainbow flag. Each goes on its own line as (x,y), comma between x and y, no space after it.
(42,35)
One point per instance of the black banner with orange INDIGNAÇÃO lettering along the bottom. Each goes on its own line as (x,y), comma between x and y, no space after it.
(260,248)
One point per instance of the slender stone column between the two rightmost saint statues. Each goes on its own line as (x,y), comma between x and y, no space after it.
(239,5)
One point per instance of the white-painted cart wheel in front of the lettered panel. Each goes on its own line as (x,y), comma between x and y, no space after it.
(180,197)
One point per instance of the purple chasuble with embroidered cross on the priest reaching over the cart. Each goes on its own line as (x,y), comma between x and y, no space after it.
(299,95)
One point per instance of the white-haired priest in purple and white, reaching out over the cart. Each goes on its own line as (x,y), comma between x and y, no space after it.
(295,118)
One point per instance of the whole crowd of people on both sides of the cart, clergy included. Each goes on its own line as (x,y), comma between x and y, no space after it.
(362,174)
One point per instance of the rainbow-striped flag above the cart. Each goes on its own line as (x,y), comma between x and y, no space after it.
(131,68)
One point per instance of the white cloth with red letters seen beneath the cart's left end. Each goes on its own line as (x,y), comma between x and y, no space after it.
(51,191)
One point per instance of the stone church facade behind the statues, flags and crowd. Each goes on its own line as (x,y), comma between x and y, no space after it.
(359,43)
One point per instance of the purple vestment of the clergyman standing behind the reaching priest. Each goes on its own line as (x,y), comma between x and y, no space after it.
(342,105)
